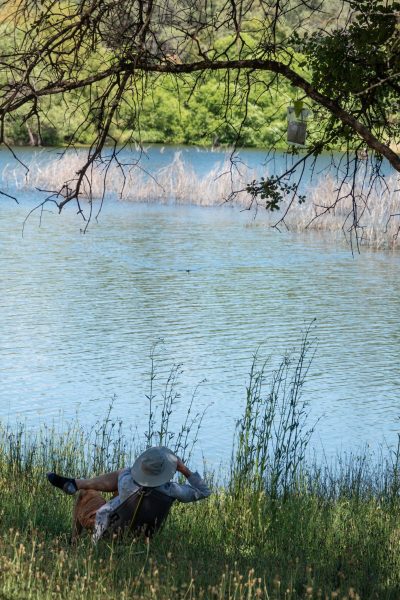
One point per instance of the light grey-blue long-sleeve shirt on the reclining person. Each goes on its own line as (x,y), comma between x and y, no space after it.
(195,489)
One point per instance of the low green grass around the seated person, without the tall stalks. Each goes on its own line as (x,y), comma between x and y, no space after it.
(328,534)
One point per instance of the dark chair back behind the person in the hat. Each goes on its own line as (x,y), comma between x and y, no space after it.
(142,513)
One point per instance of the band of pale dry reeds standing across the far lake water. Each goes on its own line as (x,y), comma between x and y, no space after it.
(326,209)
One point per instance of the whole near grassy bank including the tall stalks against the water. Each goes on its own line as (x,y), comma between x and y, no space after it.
(275,528)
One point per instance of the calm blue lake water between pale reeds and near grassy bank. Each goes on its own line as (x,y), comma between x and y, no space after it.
(80,314)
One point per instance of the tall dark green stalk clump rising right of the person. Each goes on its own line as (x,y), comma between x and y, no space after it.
(272,436)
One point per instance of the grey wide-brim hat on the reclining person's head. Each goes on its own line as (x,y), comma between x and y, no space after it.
(154,467)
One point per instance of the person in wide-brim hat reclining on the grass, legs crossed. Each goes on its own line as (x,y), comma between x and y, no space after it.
(154,468)
